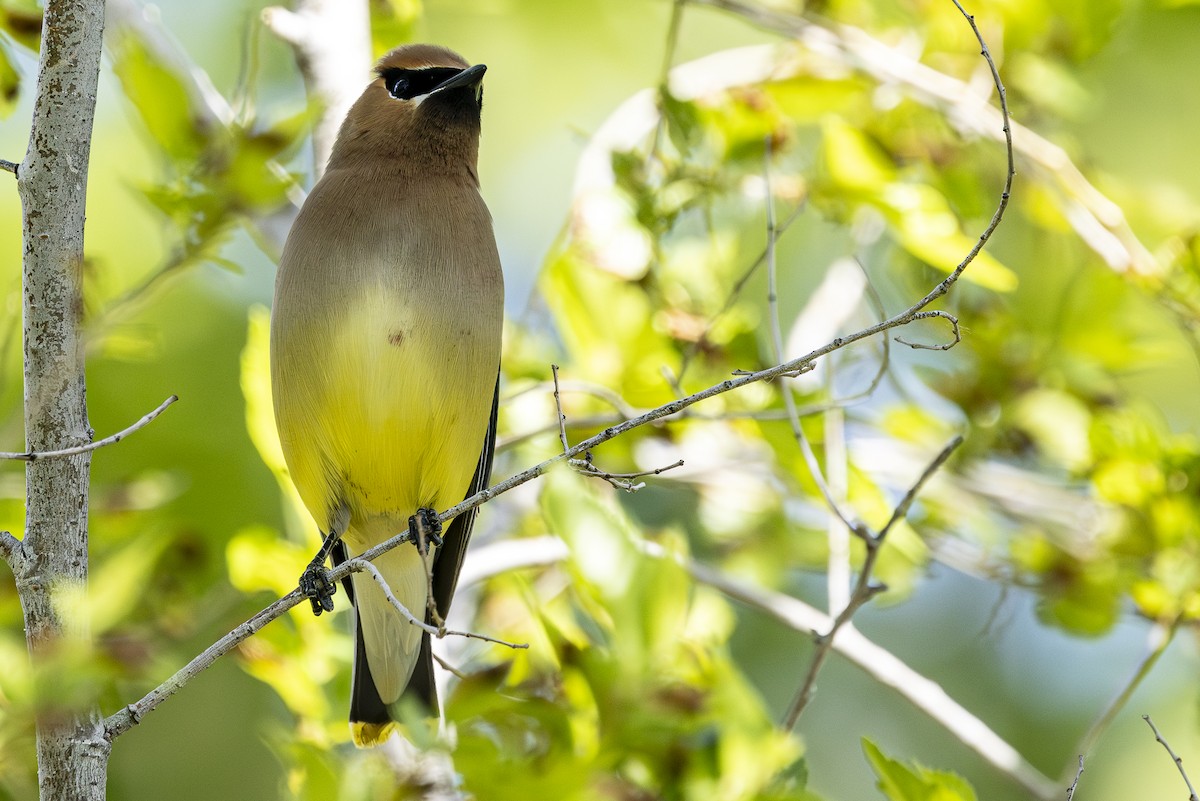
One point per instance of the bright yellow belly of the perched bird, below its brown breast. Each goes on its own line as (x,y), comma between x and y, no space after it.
(385,412)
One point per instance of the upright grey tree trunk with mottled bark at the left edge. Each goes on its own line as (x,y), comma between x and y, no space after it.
(51,564)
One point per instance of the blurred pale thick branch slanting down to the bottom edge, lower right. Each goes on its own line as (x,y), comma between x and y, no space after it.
(881,665)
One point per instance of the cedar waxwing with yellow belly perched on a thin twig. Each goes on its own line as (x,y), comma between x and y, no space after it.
(386,354)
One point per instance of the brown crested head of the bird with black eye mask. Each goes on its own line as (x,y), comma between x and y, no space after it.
(421,113)
